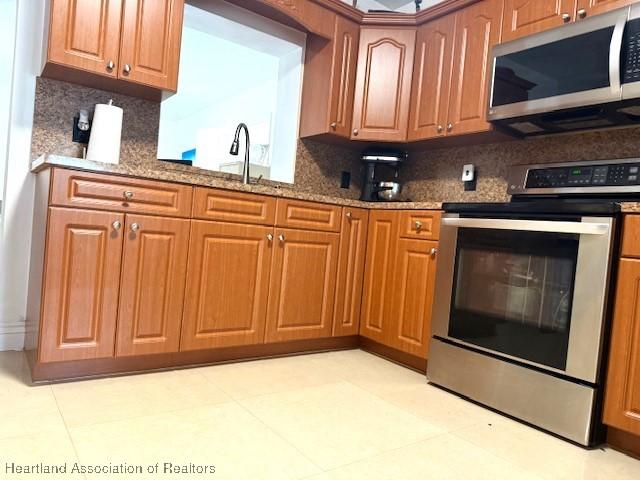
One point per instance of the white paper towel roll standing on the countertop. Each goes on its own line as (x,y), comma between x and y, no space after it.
(106,131)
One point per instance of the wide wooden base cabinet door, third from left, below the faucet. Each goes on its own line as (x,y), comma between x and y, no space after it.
(227,285)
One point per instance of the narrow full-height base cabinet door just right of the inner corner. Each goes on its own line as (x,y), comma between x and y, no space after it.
(376,297)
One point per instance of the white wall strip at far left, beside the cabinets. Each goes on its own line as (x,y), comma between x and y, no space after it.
(15,229)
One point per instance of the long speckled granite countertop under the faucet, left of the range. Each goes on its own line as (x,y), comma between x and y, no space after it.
(172,172)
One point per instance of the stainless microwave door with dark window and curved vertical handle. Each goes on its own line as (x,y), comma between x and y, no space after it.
(571,66)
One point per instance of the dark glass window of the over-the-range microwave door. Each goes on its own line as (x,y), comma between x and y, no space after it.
(576,64)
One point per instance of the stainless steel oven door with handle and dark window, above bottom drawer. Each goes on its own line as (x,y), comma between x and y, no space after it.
(533,291)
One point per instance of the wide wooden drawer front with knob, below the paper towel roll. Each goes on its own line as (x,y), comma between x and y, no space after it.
(108,192)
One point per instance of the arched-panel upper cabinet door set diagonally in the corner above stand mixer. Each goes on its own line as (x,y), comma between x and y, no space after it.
(383,84)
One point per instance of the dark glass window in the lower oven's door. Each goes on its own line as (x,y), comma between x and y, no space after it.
(513,293)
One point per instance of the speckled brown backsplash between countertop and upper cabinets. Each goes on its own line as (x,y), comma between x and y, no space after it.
(428,176)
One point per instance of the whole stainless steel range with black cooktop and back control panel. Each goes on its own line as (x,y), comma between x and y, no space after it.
(521,296)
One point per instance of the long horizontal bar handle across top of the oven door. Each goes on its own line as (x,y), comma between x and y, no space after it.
(578,228)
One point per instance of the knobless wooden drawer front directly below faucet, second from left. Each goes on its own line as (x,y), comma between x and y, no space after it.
(227,206)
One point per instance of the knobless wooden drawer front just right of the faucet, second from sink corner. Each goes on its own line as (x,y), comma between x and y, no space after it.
(308,215)
